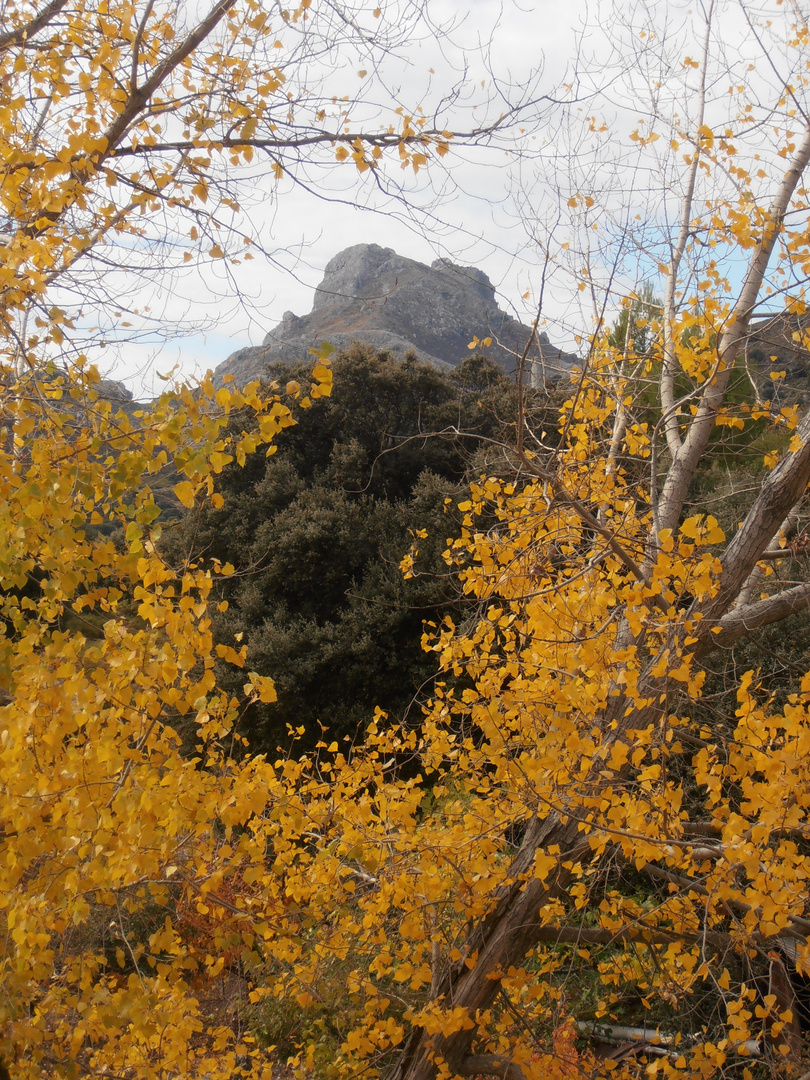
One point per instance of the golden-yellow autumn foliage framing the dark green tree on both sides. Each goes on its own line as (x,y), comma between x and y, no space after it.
(455,871)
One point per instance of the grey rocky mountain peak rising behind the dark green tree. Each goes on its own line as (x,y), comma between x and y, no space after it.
(372,294)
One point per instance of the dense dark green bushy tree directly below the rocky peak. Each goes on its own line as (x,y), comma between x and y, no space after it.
(318,533)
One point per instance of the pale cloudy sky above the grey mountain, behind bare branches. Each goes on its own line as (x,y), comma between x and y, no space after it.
(501,209)
